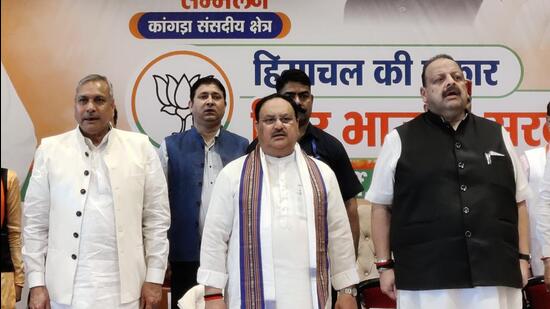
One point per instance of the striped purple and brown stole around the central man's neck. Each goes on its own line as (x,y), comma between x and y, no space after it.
(250,196)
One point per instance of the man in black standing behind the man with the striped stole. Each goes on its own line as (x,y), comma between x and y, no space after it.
(320,144)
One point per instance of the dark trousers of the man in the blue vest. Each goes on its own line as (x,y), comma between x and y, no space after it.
(184,277)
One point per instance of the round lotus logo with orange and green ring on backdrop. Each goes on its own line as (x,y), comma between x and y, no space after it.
(160,95)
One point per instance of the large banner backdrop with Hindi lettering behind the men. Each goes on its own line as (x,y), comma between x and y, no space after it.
(364,58)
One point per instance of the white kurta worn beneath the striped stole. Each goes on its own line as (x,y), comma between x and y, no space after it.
(285,242)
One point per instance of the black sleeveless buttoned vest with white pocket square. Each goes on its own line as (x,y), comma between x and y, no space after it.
(454,220)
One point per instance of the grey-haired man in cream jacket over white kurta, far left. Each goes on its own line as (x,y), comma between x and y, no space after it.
(96,213)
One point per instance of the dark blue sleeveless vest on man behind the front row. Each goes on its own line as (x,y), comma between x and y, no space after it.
(185,173)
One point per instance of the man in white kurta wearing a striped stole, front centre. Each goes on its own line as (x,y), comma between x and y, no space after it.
(276,234)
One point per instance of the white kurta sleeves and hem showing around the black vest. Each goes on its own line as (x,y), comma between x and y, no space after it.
(381,192)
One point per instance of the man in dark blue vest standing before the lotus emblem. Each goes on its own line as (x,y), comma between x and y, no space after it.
(192,161)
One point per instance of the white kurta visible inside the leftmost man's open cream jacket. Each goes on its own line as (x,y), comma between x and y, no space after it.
(97,279)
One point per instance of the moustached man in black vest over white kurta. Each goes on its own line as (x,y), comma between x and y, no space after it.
(448,198)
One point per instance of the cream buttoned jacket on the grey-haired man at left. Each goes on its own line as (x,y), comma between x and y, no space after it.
(61,189)
